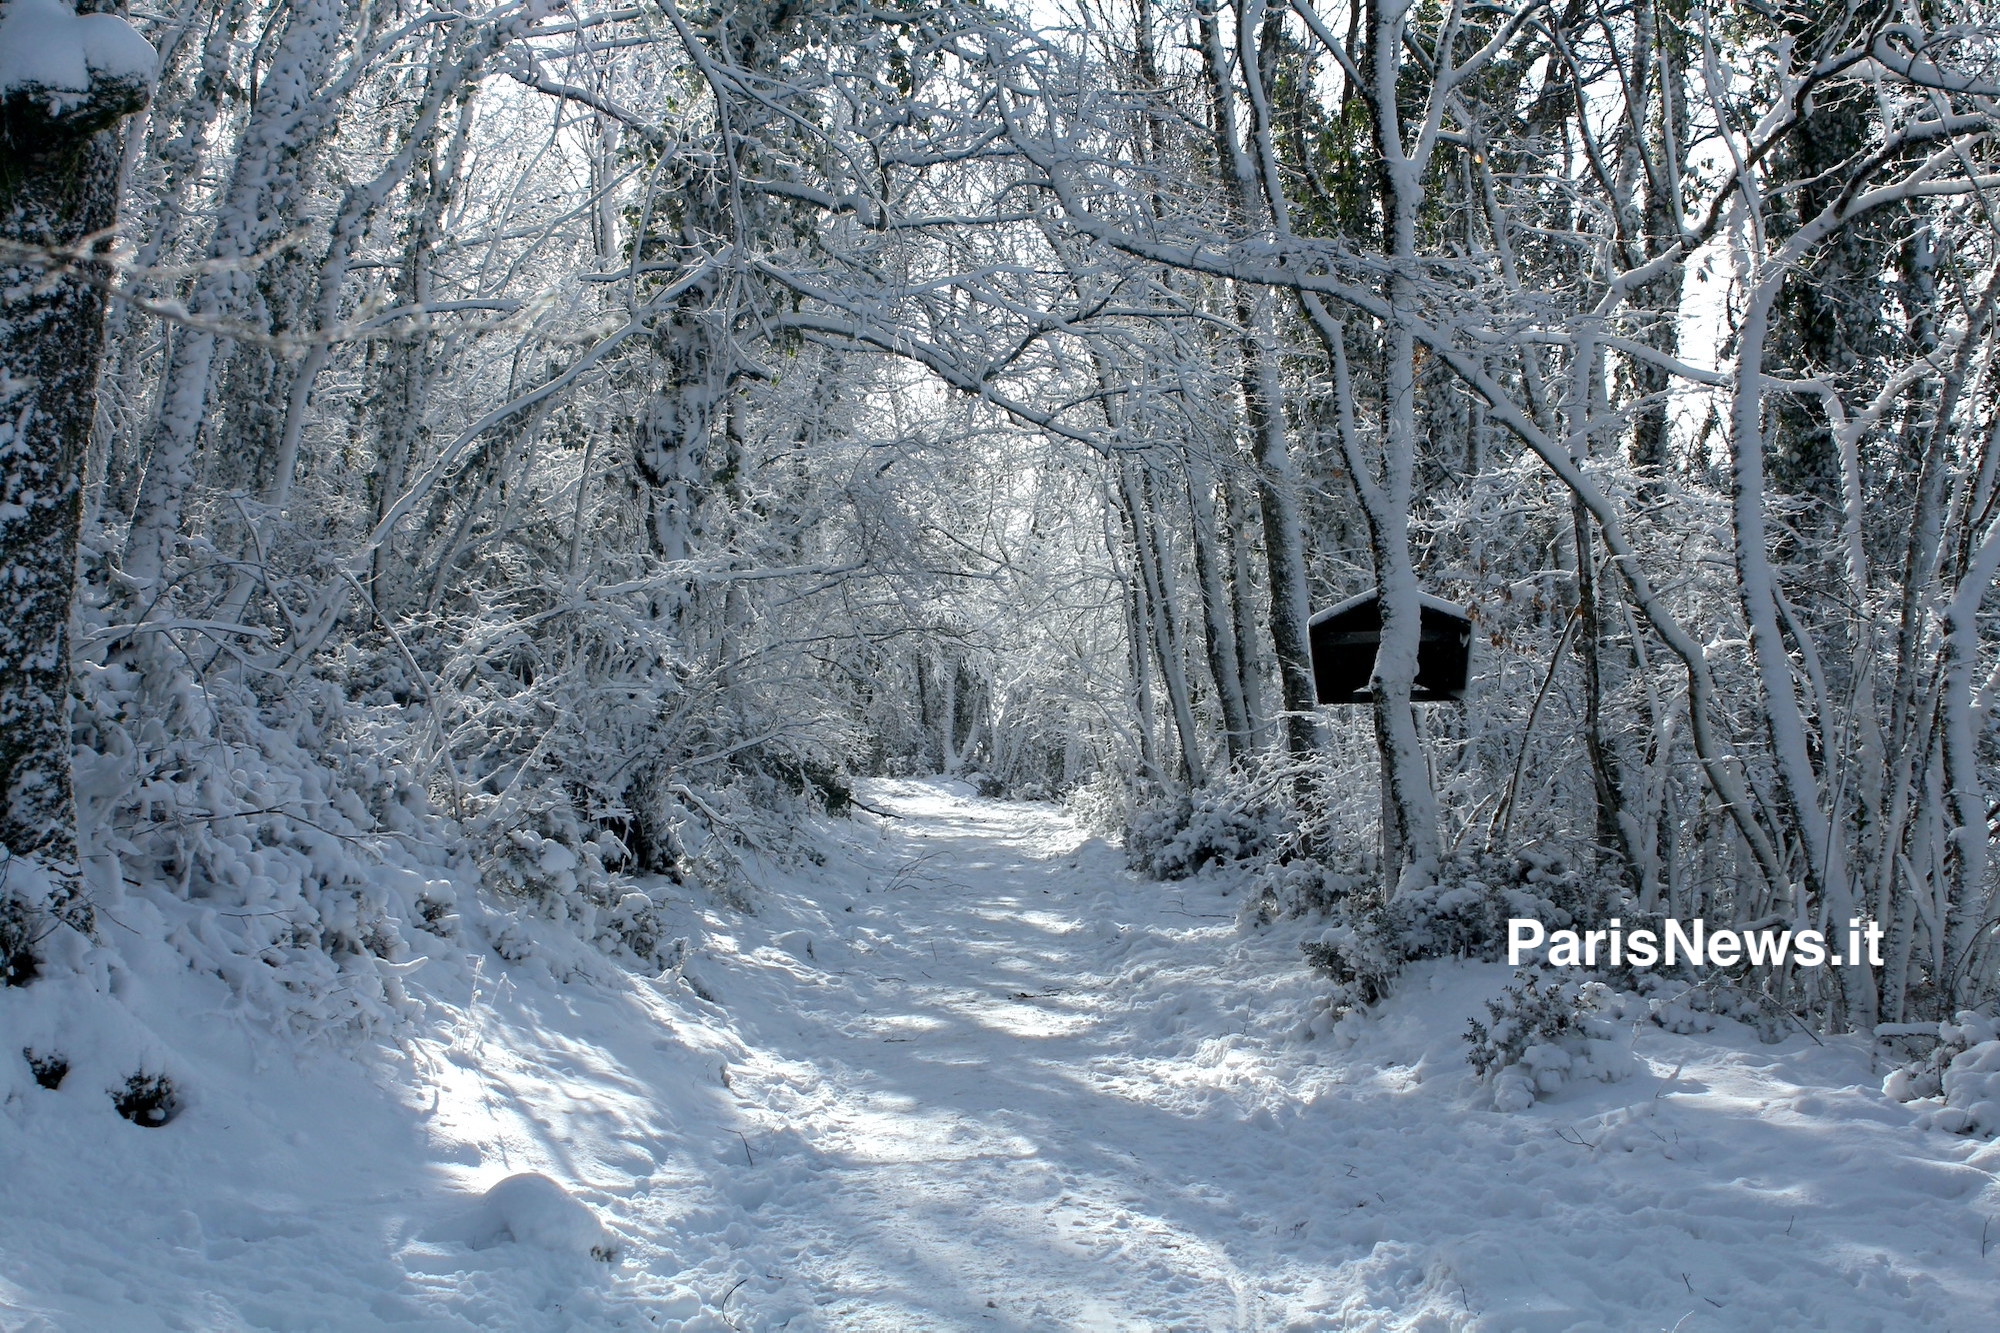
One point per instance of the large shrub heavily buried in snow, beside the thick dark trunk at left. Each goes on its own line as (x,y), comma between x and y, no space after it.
(283,840)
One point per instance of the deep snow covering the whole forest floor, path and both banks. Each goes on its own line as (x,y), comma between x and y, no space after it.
(967,1076)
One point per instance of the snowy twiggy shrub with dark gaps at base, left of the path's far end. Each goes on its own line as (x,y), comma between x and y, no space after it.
(603,722)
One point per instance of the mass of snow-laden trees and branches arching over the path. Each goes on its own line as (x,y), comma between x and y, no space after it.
(623,427)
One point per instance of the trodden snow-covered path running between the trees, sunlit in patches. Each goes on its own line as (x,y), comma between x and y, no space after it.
(987,1130)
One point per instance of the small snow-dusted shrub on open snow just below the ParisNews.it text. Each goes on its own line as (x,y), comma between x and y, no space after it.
(1549,1036)
